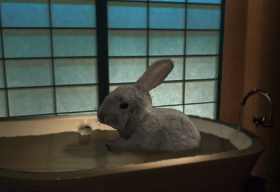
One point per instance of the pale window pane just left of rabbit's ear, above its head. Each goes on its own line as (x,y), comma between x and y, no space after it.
(126,70)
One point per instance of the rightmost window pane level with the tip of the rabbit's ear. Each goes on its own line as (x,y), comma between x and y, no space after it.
(201,67)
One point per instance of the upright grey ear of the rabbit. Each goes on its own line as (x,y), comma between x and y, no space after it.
(154,75)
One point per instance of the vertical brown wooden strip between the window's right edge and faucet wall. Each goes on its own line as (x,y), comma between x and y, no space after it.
(233,60)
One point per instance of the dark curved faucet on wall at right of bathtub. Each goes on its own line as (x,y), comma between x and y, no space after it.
(258,120)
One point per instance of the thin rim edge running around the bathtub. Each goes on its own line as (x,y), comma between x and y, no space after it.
(255,148)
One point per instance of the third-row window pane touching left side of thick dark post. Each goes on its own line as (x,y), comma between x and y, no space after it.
(75,71)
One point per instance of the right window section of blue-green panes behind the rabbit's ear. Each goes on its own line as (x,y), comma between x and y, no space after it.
(186,31)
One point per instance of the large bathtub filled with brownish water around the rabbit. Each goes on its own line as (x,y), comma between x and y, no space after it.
(46,155)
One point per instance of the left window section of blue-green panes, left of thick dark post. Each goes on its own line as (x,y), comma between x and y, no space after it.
(48,57)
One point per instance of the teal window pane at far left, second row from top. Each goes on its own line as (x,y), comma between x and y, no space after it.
(26,43)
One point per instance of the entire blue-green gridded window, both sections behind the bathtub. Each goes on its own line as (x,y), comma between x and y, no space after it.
(50,57)
